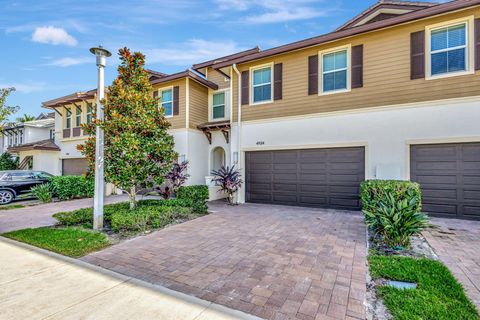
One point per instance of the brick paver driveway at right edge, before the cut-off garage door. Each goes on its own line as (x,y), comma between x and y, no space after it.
(457,243)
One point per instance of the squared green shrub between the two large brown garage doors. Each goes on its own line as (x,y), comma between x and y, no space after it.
(392,209)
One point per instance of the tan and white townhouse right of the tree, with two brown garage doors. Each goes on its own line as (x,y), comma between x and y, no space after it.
(392,94)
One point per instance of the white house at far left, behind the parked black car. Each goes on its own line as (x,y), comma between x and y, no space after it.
(32,142)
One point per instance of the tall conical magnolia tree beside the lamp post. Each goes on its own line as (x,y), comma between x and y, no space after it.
(138,149)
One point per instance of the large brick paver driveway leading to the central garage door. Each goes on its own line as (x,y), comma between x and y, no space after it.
(275,262)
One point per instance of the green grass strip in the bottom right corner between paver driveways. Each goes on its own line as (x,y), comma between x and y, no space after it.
(438,296)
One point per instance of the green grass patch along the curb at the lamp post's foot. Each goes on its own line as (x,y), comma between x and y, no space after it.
(73,242)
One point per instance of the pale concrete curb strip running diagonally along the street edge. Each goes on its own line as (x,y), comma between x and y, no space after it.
(157,288)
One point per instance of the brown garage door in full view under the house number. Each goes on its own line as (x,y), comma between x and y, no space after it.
(312,177)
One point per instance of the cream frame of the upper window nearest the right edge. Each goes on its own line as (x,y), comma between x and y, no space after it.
(469,46)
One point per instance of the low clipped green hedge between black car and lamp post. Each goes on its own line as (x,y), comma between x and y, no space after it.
(71,187)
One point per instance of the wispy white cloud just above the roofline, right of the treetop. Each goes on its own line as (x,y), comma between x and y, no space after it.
(191,52)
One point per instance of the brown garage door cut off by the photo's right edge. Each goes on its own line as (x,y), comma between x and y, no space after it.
(449,175)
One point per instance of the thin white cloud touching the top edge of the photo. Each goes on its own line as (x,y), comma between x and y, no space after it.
(274,11)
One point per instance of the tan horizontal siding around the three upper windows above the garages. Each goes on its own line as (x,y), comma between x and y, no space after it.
(386,76)
